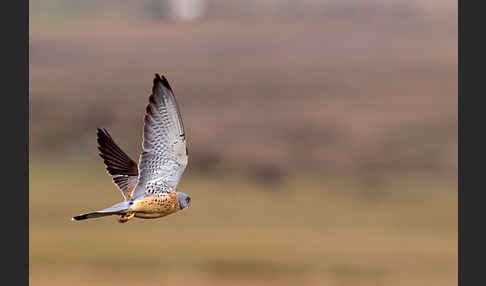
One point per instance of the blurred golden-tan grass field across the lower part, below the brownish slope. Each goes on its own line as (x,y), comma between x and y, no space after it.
(310,231)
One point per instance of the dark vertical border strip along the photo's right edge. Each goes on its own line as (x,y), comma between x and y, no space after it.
(472,155)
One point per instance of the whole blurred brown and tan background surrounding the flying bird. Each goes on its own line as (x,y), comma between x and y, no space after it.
(322,141)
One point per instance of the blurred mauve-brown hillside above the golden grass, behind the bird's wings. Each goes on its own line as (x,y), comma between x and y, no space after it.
(327,88)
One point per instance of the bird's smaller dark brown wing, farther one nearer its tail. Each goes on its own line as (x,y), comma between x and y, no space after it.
(121,167)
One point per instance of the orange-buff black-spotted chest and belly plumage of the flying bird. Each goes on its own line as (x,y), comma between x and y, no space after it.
(156,206)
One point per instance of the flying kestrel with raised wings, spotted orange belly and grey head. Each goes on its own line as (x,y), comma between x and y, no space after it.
(149,188)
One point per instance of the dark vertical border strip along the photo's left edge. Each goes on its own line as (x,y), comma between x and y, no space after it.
(15,153)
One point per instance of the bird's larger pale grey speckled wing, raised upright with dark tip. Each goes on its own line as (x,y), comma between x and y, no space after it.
(164,155)
